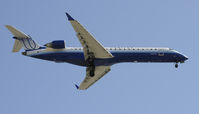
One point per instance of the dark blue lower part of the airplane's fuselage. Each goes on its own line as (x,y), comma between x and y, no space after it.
(77,57)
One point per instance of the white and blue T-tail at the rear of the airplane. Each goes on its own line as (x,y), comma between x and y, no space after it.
(22,40)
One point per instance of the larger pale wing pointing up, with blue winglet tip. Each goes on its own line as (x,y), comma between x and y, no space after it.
(88,42)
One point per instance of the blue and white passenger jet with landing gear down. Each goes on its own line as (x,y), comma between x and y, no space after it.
(93,55)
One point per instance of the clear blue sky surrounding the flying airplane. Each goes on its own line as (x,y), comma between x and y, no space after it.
(32,86)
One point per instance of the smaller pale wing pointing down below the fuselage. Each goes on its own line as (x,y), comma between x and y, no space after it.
(100,71)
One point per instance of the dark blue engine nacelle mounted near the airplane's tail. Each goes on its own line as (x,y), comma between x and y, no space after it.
(57,44)
